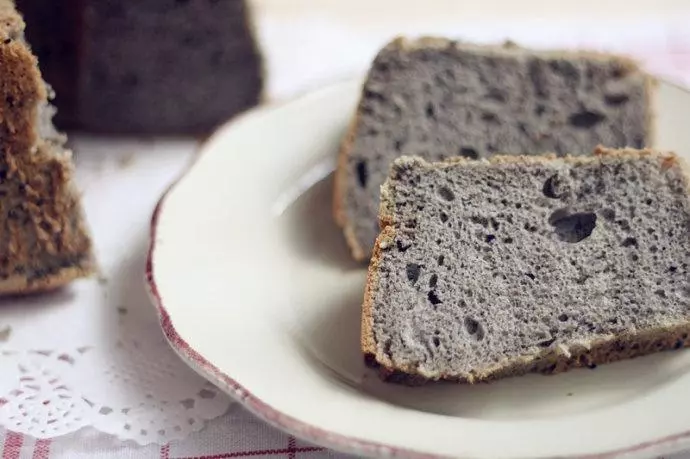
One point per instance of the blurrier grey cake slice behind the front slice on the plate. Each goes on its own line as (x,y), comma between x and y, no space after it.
(436,99)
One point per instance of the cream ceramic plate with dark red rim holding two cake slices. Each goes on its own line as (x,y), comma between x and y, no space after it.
(257,292)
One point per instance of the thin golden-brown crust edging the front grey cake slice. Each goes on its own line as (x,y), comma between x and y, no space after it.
(550,361)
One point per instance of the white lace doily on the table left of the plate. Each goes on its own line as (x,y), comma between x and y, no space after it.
(94,354)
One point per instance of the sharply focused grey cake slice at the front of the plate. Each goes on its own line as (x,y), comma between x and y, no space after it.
(492,268)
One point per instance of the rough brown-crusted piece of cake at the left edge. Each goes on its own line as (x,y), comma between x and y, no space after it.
(43,239)
